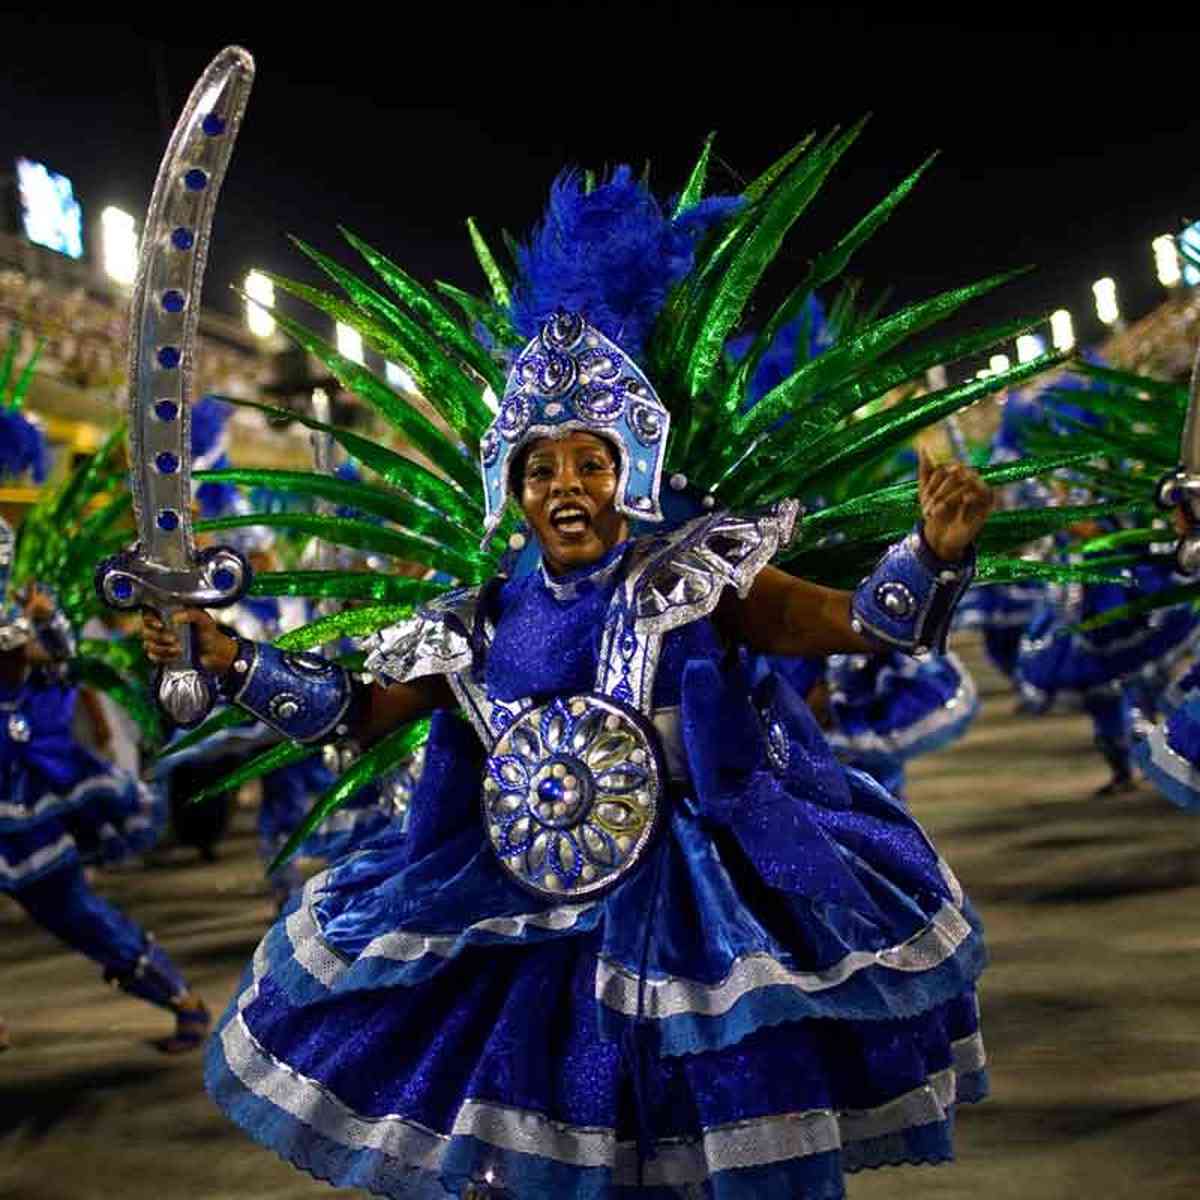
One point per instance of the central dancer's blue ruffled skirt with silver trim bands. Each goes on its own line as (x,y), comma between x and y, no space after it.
(781,994)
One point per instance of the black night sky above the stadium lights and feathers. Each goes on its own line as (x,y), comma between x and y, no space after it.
(1069,149)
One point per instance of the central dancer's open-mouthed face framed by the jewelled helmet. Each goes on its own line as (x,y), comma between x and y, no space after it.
(568,491)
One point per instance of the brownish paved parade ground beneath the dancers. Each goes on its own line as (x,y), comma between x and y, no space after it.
(1091,1006)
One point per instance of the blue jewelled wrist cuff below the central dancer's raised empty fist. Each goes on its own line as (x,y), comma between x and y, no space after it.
(909,601)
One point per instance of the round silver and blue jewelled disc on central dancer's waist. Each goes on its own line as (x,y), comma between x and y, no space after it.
(573,796)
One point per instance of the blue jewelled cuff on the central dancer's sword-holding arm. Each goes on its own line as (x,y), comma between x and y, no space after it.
(304,697)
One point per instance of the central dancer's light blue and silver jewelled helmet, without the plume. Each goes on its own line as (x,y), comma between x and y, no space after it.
(571,377)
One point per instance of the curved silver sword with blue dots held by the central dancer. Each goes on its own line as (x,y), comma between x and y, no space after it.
(163,571)
